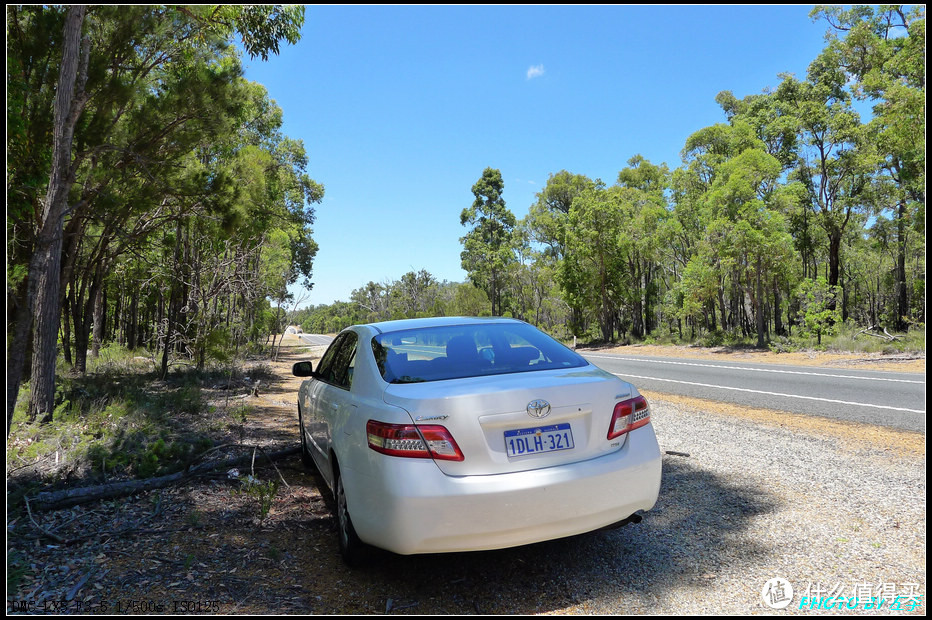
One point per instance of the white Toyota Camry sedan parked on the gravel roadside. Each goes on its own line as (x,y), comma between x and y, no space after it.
(466,434)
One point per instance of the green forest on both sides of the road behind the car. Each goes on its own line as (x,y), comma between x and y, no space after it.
(154,203)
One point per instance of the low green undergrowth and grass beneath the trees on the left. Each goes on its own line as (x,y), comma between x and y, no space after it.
(119,421)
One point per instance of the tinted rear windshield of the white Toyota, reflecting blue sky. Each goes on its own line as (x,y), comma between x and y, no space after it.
(453,352)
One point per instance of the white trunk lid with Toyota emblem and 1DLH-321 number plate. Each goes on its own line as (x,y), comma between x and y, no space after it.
(521,421)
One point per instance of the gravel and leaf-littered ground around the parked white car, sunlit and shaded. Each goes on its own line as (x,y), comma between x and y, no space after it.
(824,508)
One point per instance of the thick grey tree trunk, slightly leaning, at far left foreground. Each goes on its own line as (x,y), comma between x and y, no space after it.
(45,265)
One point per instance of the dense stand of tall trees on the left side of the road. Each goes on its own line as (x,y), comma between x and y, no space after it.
(152,198)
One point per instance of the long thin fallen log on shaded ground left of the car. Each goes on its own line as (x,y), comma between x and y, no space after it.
(55,500)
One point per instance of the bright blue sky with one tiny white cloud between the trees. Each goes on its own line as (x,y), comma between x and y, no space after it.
(402,108)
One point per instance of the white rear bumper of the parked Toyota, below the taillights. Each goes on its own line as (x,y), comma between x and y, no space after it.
(412,507)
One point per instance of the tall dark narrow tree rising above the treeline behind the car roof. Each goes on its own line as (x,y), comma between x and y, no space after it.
(488,248)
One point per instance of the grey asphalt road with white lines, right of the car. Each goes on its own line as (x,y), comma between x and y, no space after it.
(895,400)
